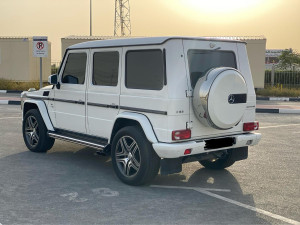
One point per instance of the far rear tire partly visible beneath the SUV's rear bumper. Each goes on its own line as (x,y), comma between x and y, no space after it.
(220,163)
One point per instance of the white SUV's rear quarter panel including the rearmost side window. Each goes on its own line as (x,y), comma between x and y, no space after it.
(144,85)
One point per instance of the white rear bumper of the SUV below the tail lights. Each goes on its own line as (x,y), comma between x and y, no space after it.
(176,150)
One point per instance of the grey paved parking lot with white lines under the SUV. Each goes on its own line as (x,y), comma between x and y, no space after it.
(72,185)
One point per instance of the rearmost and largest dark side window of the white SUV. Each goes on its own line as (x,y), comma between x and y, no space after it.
(145,69)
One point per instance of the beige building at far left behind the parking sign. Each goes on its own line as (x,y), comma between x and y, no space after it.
(17,61)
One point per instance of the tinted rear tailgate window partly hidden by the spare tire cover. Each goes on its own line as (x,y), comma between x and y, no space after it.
(200,62)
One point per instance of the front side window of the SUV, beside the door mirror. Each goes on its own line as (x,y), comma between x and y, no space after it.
(74,71)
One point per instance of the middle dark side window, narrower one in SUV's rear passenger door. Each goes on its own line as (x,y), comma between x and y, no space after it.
(106,68)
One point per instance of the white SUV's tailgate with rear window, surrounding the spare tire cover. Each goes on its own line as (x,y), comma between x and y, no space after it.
(201,56)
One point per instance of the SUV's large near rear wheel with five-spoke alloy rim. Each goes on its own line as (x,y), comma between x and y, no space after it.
(138,163)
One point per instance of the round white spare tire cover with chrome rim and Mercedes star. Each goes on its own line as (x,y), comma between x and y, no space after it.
(219,98)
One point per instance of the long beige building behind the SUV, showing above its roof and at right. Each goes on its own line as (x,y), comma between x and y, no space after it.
(256,48)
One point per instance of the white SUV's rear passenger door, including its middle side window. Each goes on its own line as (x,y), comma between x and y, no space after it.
(103,95)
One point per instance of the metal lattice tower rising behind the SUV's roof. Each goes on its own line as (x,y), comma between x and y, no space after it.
(122,25)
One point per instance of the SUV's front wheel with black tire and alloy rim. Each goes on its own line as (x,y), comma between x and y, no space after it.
(35,132)
